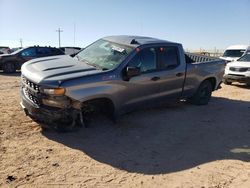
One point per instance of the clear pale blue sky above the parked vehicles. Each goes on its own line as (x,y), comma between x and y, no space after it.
(194,23)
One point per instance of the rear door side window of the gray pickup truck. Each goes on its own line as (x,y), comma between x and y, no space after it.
(168,57)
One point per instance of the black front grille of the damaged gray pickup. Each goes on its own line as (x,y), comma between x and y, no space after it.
(30,90)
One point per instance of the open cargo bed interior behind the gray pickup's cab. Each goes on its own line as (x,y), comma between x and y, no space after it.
(195,58)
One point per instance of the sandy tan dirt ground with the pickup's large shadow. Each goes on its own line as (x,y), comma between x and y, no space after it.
(177,145)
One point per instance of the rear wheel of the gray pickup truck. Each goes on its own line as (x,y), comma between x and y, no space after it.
(203,94)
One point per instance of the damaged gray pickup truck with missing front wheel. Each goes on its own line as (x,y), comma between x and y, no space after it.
(114,75)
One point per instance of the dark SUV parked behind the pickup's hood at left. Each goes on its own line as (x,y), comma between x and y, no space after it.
(9,63)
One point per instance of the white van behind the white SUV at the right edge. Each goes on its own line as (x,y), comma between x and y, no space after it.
(232,53)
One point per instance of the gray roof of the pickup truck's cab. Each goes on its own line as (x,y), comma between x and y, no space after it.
(135,40)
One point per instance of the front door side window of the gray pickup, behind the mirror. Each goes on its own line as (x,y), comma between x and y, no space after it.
(145,60)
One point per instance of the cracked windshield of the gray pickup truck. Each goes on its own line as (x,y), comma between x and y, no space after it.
(104,54)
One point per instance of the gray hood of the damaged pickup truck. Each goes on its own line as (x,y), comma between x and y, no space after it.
(54,70)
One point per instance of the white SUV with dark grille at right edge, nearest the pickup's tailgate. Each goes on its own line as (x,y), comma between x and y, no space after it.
(238,71)
